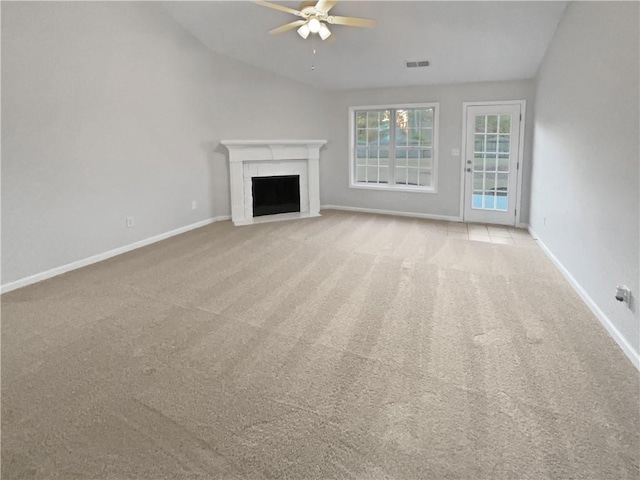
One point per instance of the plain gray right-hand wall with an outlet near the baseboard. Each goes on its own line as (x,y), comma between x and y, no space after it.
(585,200)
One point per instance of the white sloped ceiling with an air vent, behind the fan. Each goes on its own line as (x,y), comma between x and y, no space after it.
(464,41)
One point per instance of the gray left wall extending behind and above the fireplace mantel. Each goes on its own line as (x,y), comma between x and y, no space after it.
(111,109)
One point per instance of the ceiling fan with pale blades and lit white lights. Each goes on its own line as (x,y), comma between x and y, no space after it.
(314,18)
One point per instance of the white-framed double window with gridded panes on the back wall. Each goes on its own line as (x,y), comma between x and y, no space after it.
(394,147)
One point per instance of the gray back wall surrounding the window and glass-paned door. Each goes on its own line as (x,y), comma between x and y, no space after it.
(335,163)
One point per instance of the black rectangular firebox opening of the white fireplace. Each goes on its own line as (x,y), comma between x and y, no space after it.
(278,194)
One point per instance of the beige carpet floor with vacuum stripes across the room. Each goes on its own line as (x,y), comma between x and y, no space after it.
(347,346)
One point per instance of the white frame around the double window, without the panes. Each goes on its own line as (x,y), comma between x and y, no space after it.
(391,186)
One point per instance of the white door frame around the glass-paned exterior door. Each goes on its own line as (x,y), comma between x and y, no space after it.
(523,113)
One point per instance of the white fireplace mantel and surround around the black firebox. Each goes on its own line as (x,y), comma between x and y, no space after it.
(261,158)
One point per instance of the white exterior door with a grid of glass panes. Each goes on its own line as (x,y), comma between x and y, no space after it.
(492,146)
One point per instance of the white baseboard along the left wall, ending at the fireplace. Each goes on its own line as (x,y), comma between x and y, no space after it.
(38,277)
